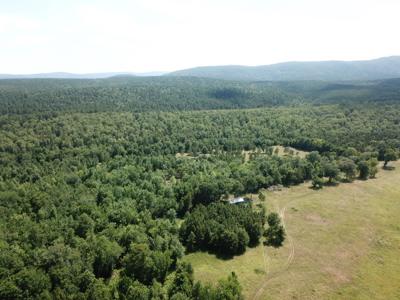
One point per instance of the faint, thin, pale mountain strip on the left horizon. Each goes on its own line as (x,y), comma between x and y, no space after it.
(64,75)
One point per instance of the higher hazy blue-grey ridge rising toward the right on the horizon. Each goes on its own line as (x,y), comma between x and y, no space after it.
(382,68)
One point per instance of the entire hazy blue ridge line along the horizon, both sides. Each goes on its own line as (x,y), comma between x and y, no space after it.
(329,70)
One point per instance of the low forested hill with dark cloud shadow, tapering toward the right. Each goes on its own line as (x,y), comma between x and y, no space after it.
(134,94)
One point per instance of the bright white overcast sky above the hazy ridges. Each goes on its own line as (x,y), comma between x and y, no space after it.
(88,36)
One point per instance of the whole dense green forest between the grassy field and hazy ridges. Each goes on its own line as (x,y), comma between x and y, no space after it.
(106,184)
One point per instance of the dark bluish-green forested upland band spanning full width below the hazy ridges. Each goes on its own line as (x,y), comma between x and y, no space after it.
(179,93)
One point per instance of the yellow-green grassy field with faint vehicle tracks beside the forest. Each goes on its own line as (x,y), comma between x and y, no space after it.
(343,243)
